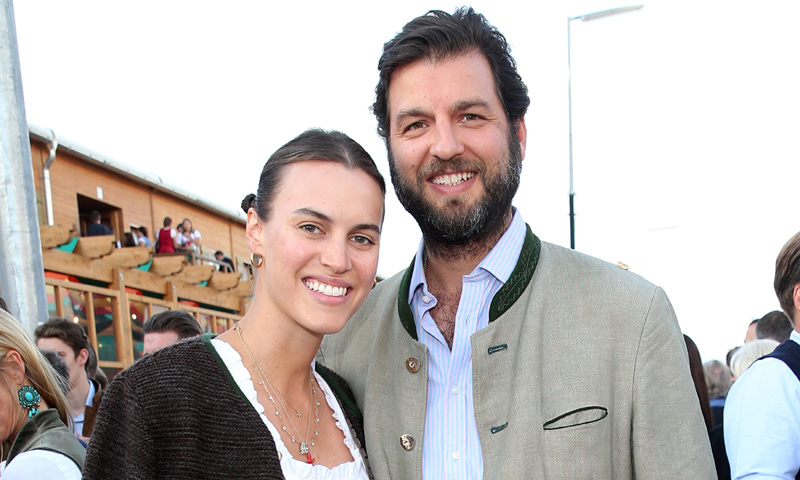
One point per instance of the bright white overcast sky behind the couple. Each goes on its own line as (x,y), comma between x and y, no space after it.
(686,118)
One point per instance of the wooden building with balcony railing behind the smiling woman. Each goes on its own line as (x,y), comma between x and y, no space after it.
(110,290)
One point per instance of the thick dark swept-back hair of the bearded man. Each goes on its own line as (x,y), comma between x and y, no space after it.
(438,36)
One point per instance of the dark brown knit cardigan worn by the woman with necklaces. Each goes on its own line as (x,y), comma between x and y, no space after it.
(178,414)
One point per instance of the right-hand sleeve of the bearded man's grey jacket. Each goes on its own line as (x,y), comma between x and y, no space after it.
(669,437)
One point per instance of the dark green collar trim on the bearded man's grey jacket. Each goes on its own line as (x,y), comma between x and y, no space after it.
(508,294)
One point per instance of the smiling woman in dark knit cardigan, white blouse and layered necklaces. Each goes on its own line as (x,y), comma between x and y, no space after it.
(253,396)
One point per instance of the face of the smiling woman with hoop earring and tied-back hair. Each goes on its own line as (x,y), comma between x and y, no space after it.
(320,244)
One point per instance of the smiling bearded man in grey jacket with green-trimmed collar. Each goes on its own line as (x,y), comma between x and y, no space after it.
(496,355)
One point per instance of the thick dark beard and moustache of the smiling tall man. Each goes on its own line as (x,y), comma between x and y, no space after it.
(458,223)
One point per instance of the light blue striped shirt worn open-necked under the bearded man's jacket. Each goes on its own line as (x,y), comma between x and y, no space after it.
(451,448)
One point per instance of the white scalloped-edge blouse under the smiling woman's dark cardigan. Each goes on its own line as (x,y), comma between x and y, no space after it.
(293,468)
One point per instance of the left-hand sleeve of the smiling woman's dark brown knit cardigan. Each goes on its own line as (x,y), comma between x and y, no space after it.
(120,446)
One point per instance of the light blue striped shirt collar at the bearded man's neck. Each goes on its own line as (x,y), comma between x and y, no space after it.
(499,262)
